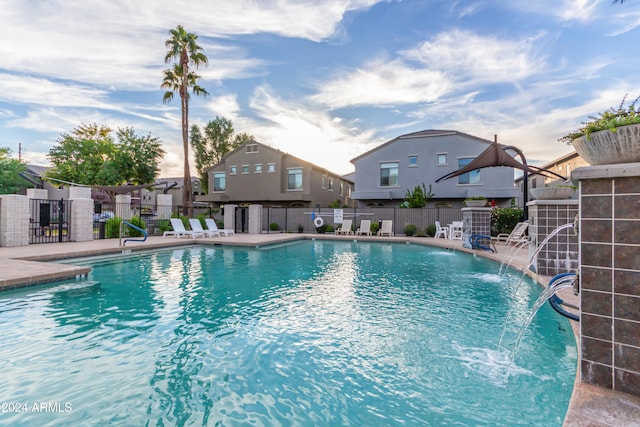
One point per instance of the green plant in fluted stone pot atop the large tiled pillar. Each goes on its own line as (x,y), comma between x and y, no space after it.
(612,136)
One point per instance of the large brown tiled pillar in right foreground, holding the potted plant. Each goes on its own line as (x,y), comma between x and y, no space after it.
(610,276)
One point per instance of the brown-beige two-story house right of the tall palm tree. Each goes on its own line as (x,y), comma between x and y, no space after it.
(255,173)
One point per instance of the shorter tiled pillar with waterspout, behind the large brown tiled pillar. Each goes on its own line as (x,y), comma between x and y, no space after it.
(560,253)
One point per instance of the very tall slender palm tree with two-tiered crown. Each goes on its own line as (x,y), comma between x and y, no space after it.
(185,51)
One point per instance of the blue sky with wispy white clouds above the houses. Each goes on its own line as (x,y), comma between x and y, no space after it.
(323,80)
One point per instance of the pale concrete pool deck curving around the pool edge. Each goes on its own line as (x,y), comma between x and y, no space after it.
(29,265)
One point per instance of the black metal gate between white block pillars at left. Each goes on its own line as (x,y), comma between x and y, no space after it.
(49,221)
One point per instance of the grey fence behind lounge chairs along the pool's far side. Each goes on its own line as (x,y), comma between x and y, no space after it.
(300,219)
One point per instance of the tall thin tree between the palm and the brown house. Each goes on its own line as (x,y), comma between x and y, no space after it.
(216,140)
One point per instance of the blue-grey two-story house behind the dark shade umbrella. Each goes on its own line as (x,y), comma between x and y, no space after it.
(383,175)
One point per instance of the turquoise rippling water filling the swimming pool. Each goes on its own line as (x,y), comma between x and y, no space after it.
(314,333)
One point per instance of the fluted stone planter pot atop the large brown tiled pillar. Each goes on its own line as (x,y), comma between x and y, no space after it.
(607,147)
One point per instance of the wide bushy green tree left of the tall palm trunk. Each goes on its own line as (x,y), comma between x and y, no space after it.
(90,155)
